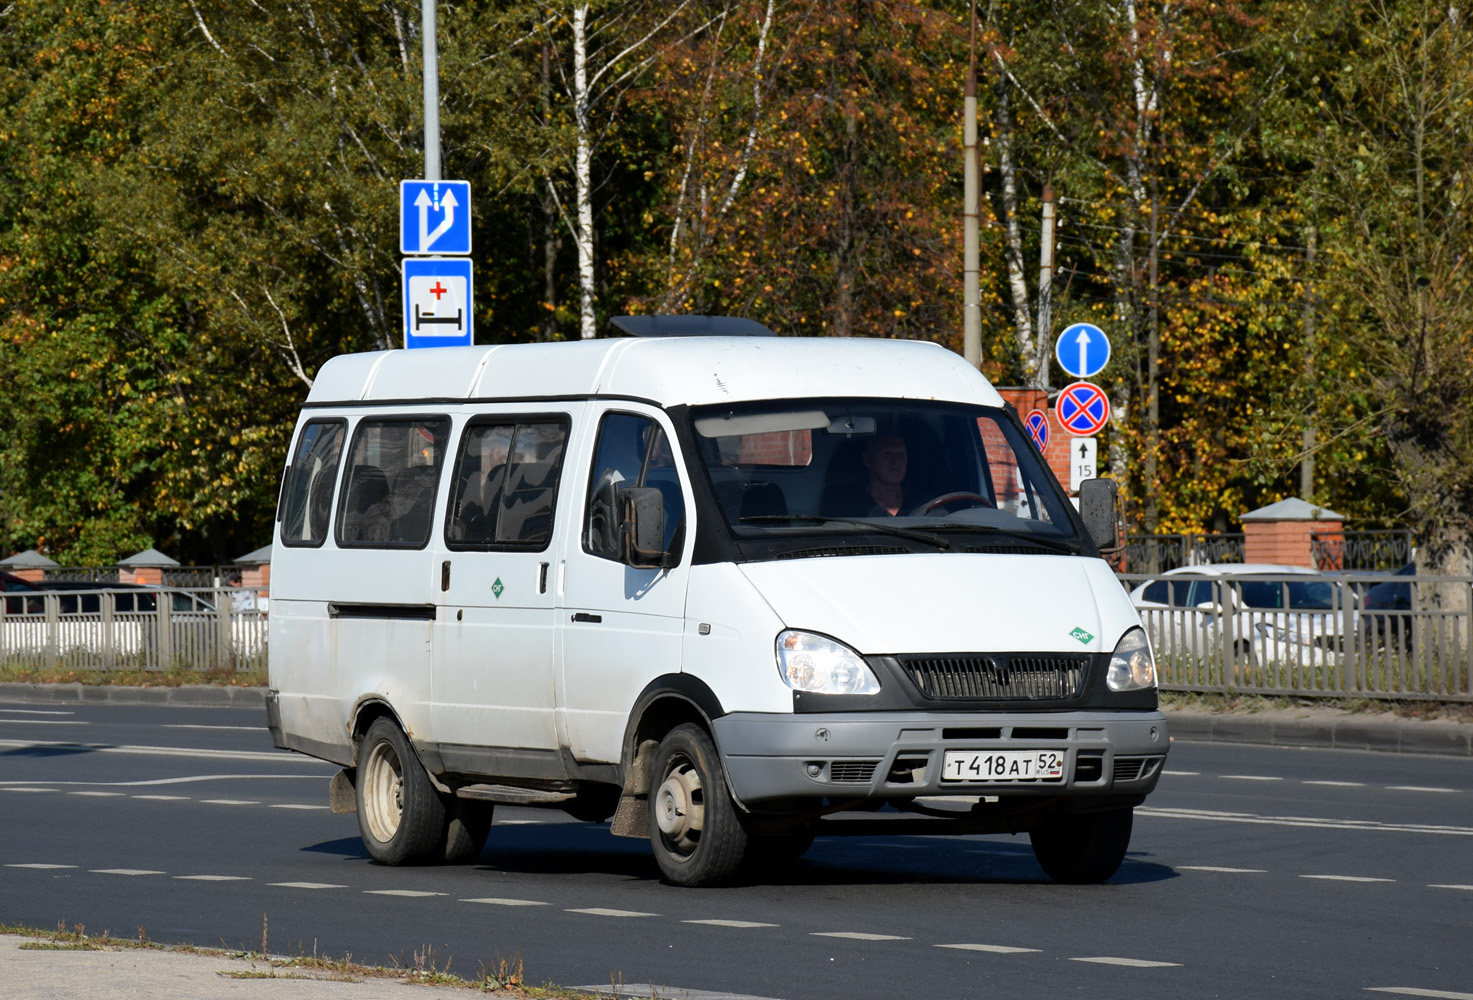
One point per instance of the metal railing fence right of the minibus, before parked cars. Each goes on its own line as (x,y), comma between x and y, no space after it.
(1312,637)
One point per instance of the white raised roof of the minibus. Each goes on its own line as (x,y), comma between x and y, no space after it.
(667,372)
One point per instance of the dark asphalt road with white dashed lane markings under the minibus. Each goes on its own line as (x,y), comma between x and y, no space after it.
(1254,871)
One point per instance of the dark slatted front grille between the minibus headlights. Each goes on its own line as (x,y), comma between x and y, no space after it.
(996,678)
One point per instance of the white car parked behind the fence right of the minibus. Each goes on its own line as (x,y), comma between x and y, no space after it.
(1248,613)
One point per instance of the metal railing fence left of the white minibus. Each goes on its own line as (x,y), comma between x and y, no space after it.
(136,630)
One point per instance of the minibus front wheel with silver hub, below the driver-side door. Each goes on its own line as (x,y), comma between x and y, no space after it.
(695,830)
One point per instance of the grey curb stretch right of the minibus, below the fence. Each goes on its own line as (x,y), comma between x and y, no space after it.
(1346,733)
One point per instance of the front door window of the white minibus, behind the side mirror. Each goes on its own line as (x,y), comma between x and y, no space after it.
(633,451)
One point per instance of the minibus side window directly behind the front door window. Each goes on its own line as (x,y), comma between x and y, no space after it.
(506,484)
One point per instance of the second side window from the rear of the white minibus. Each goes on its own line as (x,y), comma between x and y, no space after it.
(393,478)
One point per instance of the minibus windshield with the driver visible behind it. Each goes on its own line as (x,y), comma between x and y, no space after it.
(941,476)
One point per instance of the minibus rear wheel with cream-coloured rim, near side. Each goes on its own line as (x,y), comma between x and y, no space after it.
(401,817)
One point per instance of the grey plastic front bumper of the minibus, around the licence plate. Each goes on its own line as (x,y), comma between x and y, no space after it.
(896,755)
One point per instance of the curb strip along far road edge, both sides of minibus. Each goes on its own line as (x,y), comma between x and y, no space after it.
(1301,727)
